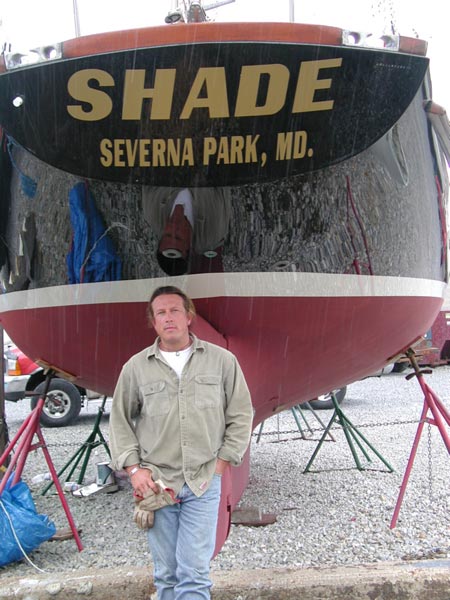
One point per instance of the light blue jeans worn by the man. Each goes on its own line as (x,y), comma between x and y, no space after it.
(182,542)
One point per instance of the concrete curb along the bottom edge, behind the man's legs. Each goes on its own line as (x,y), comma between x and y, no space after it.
(386,581)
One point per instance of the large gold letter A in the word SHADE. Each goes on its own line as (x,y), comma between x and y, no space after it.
(216,98)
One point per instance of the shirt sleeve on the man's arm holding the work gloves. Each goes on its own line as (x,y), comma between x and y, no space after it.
(124,445)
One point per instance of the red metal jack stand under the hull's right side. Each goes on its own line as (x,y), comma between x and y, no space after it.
(439,415)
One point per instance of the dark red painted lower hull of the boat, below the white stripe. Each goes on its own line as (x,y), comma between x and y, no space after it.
(291,349)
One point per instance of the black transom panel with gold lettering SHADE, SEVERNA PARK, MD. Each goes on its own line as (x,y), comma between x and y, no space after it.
(208,114)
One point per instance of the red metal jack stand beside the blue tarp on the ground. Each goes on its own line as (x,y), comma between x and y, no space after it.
(29,428)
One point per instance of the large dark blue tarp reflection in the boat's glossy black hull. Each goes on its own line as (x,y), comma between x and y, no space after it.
(92,256)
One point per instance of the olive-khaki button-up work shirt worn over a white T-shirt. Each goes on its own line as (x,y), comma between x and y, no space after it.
(178,427)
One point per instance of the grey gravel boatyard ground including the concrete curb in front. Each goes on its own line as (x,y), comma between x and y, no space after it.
(331,538)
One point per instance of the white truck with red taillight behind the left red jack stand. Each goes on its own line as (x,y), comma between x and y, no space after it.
(26,379)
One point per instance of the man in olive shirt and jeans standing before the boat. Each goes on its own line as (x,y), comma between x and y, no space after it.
(181,414)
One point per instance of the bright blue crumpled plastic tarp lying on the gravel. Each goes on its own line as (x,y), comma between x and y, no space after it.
(17,510)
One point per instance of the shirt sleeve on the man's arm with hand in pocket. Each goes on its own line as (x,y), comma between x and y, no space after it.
(238,415)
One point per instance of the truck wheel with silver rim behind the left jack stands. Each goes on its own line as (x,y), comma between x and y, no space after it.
(62,405)
